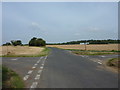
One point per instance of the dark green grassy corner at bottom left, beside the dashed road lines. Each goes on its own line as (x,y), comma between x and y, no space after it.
(10,79)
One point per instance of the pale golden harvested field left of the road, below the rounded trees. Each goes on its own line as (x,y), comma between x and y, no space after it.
(20,50)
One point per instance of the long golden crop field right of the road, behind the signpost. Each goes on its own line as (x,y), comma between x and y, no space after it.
(99,47)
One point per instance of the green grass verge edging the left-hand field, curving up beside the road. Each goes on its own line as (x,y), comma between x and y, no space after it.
(44,52)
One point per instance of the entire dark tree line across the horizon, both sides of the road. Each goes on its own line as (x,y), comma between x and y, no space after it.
(40,42)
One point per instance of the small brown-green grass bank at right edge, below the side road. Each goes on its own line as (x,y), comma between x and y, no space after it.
(114,62)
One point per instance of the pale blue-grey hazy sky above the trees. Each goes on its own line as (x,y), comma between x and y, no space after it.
(59,21)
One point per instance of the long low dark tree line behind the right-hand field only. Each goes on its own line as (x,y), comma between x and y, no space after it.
(108,41)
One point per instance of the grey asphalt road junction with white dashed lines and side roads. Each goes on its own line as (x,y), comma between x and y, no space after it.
(61,69)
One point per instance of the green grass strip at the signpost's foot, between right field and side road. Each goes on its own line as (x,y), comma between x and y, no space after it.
(92,52)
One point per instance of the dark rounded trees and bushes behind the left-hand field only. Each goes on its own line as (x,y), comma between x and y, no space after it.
(33,42)
